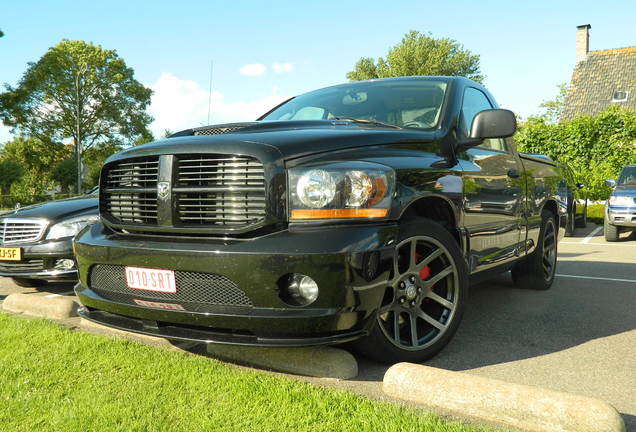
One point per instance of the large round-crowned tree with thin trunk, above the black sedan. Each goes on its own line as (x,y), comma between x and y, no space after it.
(78,91)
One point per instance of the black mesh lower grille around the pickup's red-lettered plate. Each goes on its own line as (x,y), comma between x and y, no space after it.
(109,281)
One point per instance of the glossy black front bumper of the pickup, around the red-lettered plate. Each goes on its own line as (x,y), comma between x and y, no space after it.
(337,258)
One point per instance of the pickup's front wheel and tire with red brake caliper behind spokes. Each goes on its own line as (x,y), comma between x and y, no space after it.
(424,299)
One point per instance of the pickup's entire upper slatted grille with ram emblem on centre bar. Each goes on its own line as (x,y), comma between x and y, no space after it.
(181,192)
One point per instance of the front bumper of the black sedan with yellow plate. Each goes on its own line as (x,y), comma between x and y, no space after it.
(39,261)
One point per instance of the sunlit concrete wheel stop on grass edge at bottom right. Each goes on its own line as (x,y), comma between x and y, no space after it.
(524,407)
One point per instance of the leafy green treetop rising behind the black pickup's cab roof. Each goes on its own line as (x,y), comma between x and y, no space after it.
(420,54)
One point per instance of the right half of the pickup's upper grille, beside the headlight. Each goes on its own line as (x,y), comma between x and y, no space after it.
(220,190)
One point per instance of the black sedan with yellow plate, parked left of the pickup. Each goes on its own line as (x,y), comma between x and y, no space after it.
(36,241)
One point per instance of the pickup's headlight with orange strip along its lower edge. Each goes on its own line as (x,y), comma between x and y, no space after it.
(341,190)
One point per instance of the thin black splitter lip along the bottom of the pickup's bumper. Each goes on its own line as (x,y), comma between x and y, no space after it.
(190,334)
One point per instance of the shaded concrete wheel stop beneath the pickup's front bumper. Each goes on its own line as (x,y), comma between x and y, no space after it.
(321,361)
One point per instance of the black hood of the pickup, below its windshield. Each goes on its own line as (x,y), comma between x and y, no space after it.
(287,139)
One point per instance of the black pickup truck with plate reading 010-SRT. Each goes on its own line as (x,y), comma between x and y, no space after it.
(360,212)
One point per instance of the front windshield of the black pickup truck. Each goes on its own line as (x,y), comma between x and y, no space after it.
(410,103)
